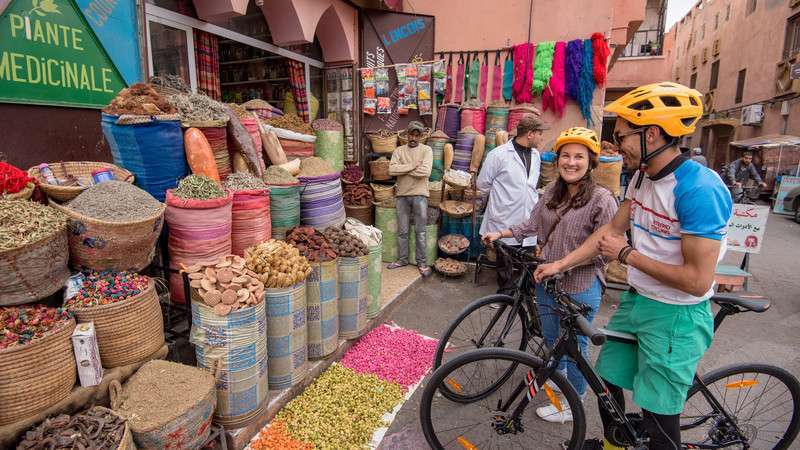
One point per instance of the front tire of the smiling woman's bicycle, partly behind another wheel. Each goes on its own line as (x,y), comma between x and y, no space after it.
(476,305)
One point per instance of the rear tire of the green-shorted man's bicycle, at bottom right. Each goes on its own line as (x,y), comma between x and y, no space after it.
(787,379)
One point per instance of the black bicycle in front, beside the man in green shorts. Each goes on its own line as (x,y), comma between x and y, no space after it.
(748,406)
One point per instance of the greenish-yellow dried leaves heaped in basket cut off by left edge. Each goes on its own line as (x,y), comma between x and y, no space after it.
(23,223)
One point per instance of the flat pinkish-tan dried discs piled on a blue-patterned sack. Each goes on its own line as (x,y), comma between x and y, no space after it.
(226,286)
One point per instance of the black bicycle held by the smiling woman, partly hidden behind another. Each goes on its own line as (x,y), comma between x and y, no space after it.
(496,320)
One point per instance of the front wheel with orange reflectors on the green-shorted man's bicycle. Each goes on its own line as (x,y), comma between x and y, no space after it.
(489,422)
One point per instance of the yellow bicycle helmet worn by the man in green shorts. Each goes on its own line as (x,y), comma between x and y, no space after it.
(673,107)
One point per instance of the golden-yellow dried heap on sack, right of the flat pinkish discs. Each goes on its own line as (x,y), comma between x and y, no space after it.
(277,264)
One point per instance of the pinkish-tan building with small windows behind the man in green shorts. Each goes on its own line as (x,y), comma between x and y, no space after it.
(739,54)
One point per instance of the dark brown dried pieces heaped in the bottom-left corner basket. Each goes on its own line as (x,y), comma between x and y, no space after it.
(98,428)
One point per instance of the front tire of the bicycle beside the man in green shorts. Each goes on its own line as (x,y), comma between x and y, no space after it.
(437,381)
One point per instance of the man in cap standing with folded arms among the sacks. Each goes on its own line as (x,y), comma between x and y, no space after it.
(411,164)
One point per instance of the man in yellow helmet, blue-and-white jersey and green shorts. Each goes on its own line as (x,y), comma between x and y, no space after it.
(678,212)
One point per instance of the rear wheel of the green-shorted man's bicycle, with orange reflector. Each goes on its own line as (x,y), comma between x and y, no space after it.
(762,401)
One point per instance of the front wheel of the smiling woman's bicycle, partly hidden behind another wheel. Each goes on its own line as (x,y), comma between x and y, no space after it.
(484,317)
